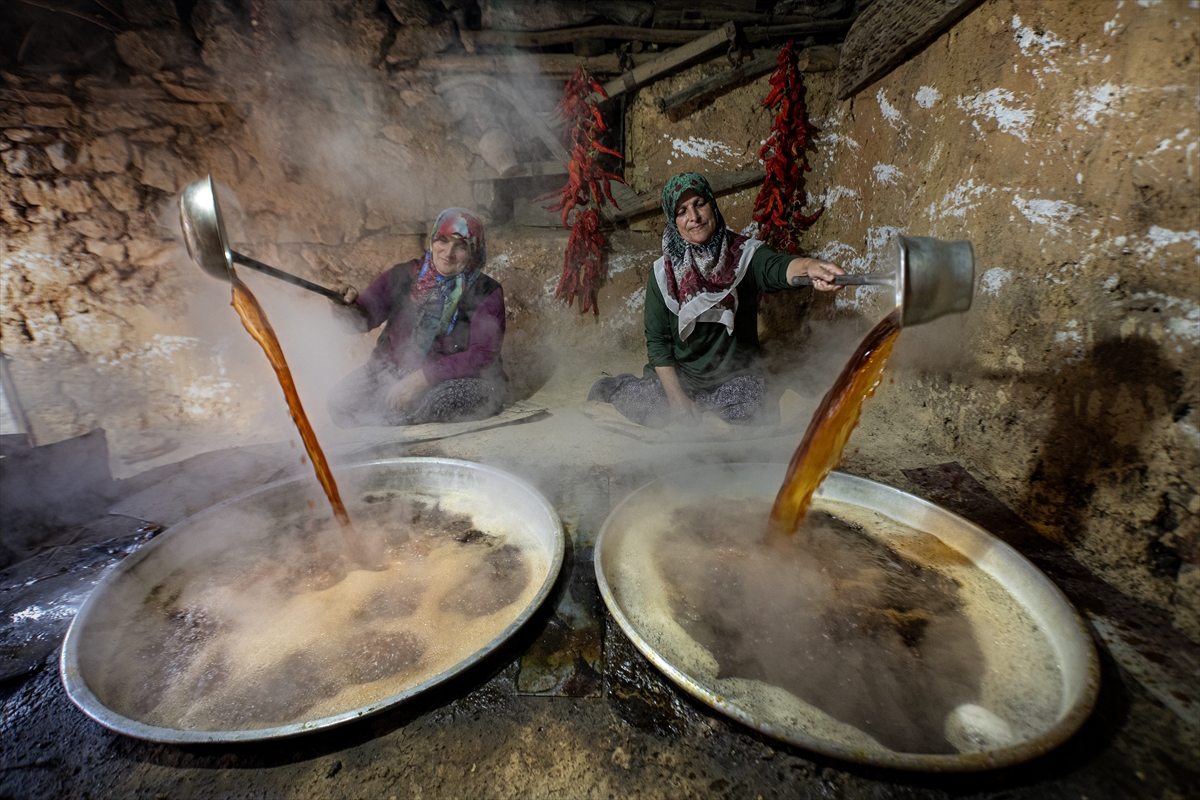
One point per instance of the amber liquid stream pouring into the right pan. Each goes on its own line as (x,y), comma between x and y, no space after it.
(820,452)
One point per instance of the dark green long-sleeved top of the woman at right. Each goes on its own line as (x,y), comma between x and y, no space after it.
(712,356)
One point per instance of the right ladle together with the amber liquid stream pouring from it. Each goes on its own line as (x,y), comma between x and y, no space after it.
(933,279)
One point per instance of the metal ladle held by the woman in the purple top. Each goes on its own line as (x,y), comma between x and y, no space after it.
(209,248)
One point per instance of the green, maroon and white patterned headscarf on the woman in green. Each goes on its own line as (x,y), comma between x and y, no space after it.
(697,274)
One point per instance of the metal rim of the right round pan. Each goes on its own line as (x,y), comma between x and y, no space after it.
(1069,723)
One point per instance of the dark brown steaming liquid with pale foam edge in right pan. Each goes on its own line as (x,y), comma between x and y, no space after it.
(859,631)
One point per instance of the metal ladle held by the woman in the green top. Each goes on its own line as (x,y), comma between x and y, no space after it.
(935,278)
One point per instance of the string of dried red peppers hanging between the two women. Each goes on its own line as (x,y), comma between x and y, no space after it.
(587,188)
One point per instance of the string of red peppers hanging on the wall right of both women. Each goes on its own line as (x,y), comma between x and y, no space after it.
(779,209)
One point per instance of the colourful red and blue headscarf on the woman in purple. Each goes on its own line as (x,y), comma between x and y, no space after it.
(435,296)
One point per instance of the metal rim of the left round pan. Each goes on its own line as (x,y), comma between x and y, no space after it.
(83,697)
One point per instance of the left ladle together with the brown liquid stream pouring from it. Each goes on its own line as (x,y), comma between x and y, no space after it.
(209,246)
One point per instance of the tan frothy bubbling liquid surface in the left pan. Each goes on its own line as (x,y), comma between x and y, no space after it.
(278,635)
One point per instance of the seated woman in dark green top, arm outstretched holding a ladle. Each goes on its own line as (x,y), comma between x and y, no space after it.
(703,316)
